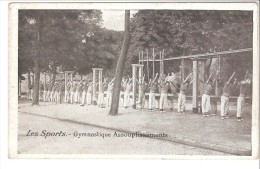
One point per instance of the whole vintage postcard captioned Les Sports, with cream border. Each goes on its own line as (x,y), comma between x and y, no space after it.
(134,80)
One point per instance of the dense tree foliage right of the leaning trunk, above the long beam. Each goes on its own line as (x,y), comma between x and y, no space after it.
(191,32)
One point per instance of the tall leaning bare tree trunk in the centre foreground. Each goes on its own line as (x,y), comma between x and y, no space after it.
(120,67)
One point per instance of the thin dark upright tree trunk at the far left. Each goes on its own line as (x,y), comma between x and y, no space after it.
(36,85)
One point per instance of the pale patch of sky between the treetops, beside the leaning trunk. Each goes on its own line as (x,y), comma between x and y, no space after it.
(114,19)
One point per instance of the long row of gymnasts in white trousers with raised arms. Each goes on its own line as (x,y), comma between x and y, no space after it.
(81,93)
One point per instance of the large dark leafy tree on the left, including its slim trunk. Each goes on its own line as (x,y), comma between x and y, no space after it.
(49,38)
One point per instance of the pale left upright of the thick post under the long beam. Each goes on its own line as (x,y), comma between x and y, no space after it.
(195,87)
